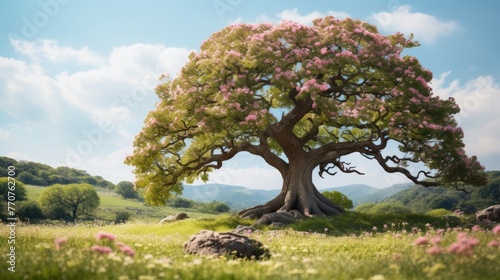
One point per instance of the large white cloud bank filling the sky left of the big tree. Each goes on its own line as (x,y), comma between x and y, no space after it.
(79,118)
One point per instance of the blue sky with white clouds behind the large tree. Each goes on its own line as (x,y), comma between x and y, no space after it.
(77,77)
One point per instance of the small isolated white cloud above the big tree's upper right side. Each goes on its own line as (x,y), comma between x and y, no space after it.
(426,28)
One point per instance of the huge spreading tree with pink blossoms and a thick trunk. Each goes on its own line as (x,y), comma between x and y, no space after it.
(301,97)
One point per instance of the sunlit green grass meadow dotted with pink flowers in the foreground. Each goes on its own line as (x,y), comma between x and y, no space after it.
(351,246)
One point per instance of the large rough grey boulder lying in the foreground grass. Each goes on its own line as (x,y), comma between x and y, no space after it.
(211,243)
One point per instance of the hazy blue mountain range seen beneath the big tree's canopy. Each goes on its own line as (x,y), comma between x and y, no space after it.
(238,197)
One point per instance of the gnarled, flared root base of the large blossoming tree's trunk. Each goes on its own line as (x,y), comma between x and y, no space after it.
(286,209)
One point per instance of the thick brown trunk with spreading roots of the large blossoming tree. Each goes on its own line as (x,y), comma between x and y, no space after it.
(298,193)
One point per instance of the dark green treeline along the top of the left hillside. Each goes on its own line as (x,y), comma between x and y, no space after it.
(32,173)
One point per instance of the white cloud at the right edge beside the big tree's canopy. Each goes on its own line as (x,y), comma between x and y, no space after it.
(479,117)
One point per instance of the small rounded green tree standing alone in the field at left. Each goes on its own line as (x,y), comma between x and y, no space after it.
(73,201)
